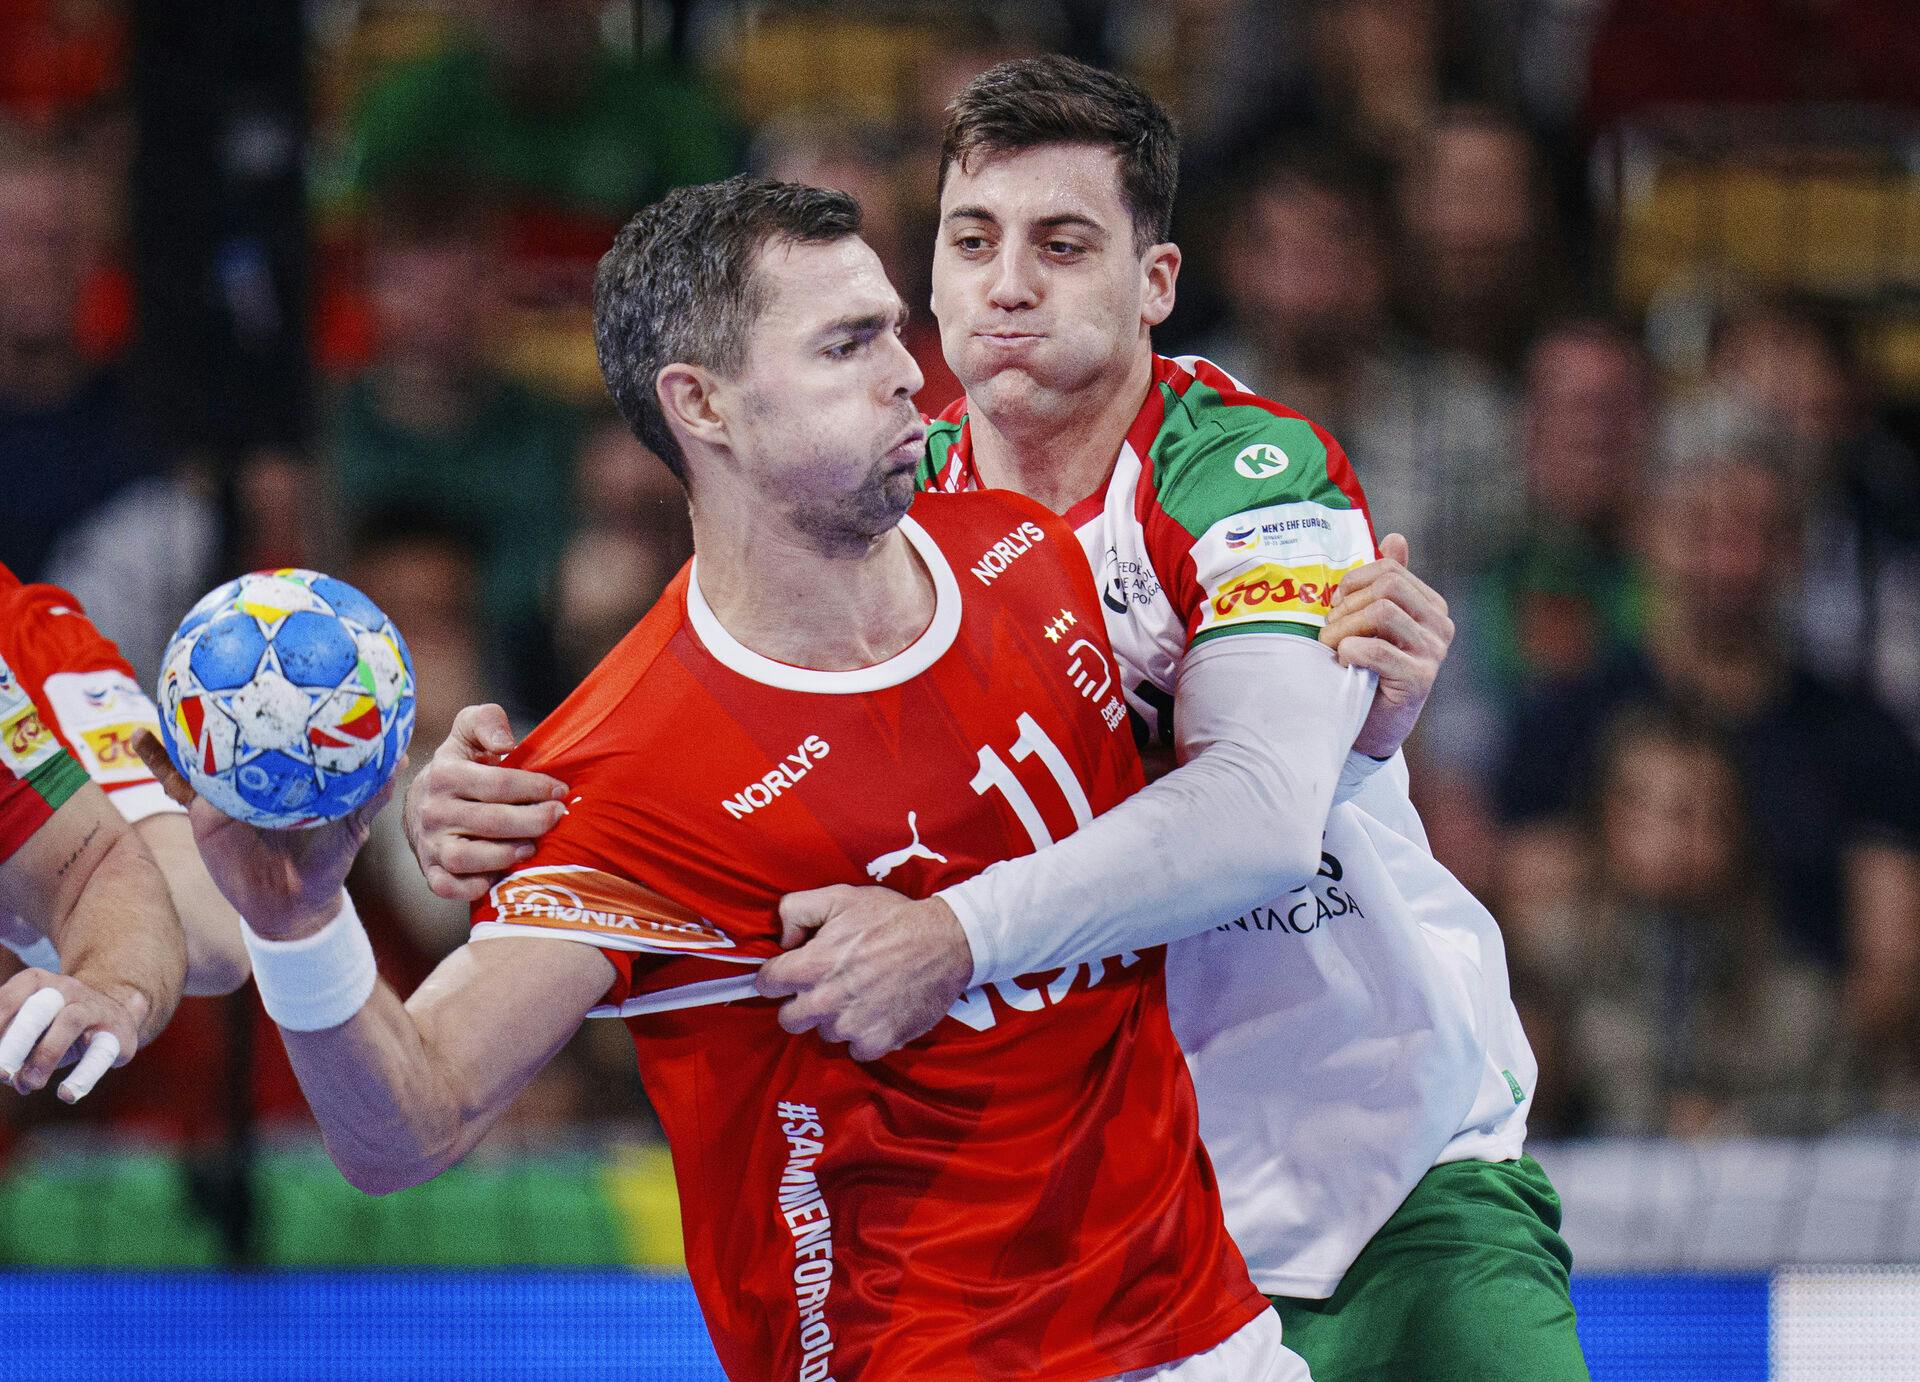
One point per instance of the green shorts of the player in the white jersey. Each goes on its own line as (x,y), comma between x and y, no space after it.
(1466,1283)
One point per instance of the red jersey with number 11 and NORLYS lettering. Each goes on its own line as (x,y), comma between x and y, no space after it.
(1022,1191)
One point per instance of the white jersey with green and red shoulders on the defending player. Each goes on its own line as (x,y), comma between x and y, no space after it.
(1353,1036)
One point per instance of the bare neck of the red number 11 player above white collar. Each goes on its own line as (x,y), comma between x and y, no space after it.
(861,604)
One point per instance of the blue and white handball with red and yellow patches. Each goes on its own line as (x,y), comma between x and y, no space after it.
(287,698)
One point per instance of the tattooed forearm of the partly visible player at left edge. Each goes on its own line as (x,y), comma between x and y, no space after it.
(124,938)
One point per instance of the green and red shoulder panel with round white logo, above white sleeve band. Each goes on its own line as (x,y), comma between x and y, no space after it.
(1222,450)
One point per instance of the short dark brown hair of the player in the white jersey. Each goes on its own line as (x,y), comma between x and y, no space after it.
(1030,103)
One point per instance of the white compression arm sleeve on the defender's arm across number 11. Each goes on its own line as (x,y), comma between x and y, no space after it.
(1264,727)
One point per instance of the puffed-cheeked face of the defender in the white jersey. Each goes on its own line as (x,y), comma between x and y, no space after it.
(1038,285)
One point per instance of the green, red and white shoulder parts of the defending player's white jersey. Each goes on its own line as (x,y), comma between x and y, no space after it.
(1249,513)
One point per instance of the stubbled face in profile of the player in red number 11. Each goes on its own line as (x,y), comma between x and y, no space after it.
(828,393)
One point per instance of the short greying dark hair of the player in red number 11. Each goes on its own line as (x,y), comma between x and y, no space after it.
(679,287)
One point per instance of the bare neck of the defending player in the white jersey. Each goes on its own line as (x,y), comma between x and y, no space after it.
(1061,458)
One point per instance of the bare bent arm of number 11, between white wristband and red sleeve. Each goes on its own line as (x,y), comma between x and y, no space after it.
(404,1091)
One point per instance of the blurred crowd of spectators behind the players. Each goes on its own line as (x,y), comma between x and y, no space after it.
(1616,306)
